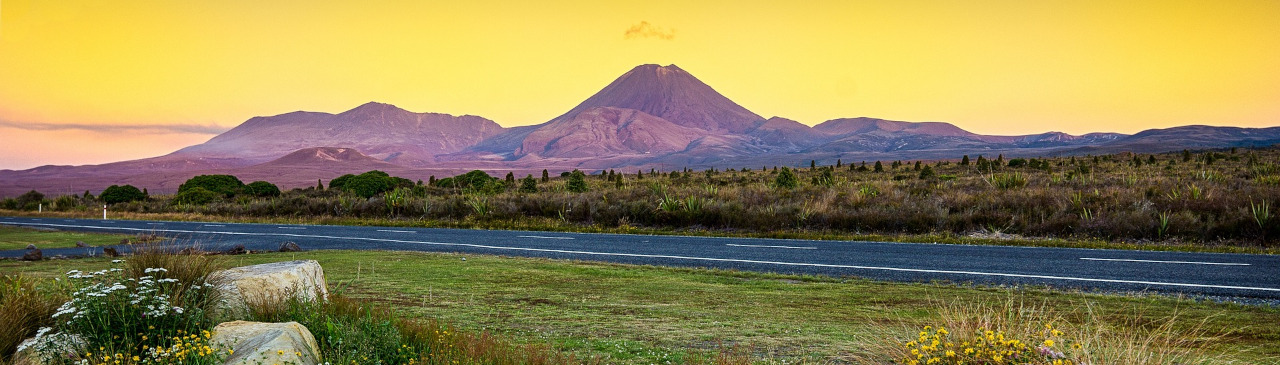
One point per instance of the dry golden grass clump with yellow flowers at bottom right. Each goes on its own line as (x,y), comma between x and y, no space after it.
(1017,332)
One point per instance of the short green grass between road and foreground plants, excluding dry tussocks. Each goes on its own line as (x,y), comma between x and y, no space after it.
(629,314)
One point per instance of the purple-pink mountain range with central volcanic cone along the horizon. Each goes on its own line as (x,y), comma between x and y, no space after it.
(652,117)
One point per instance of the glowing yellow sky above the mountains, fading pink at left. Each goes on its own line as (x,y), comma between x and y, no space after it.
(990,67)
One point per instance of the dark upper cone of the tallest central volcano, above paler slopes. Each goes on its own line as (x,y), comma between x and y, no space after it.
(673,94)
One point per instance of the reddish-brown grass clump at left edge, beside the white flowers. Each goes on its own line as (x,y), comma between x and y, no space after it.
(24,312)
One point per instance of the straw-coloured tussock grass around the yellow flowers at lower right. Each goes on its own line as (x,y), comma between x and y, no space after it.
(1085,335)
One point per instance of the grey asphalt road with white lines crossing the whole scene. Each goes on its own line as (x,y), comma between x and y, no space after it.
(1209,275)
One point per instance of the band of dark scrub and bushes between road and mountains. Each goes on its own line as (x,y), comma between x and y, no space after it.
(1220,200)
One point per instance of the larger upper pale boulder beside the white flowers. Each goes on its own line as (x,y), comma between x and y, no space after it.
(269,285)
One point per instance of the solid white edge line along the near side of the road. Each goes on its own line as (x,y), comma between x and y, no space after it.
(696,258)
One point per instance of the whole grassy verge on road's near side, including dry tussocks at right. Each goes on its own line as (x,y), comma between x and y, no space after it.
(578,312)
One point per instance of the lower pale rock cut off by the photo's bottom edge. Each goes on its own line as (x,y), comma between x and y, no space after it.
(255,343)
